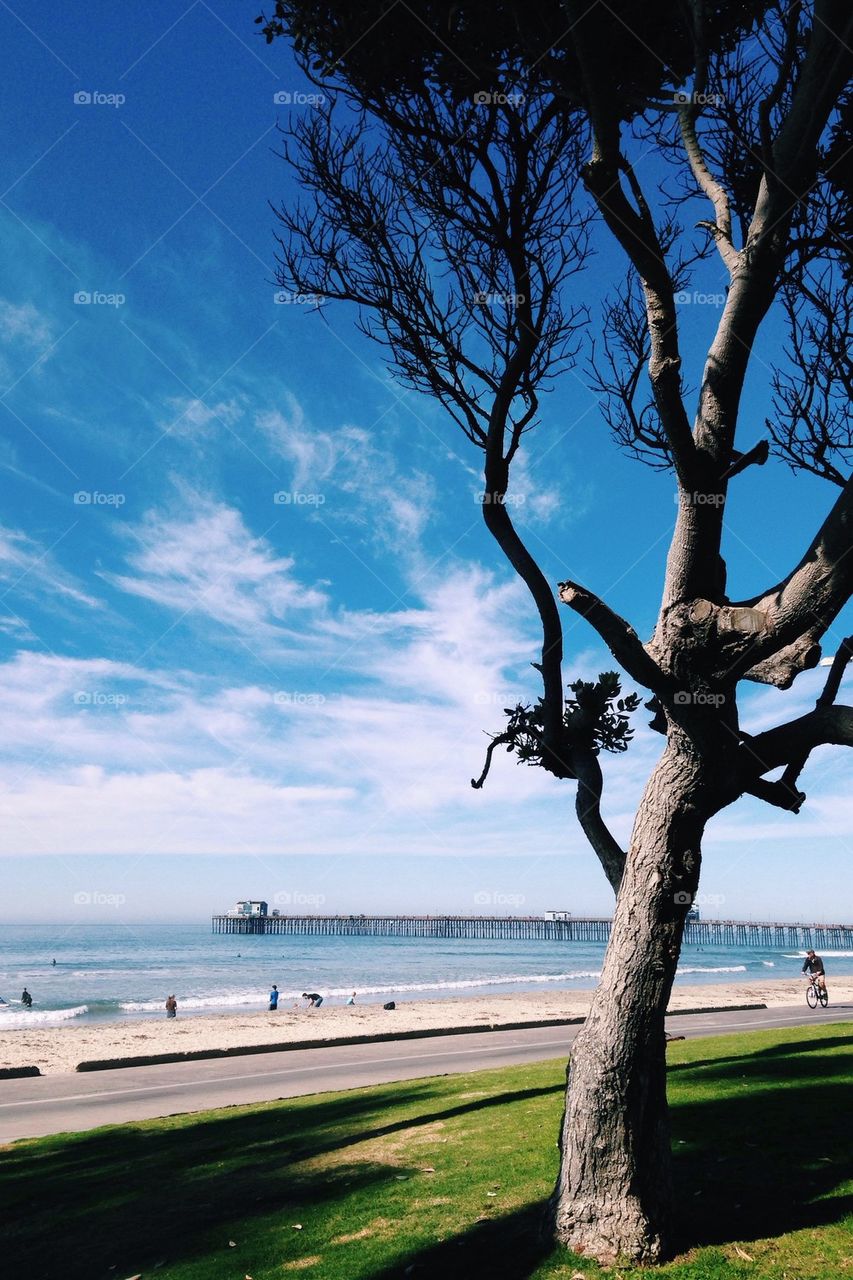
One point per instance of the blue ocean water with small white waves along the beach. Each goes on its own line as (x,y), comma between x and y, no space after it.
(120,972)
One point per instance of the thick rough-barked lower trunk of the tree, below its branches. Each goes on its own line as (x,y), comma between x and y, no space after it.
(613,1197)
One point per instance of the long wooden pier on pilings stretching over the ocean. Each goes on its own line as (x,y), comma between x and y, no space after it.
(533,929)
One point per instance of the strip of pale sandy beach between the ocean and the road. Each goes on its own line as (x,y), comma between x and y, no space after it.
(61,1049)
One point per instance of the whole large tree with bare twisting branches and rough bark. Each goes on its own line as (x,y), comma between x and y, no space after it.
(454,179)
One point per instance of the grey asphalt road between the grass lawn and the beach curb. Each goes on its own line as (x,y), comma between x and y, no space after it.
(74,1103)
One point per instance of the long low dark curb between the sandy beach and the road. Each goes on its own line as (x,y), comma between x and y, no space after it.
(110,1064)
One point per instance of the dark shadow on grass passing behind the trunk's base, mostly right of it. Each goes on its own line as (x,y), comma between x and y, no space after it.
(763,1164)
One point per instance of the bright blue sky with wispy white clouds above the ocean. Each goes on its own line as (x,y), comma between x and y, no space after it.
(212,694)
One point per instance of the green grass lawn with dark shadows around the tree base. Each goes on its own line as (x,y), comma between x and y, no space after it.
(445,1178)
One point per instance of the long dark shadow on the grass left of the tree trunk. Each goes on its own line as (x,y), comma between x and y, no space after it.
(116,1201)
